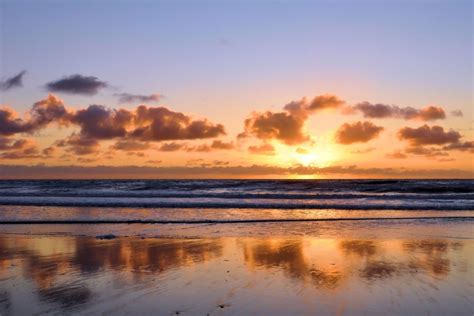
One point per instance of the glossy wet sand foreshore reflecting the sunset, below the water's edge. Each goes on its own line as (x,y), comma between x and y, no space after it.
(417,267)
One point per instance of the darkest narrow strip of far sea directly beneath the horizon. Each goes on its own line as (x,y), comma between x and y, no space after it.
(241,186)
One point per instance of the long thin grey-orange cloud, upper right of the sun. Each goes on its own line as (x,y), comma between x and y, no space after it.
(379,110)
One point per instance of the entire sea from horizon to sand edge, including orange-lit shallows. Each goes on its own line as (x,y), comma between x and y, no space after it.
(195,201)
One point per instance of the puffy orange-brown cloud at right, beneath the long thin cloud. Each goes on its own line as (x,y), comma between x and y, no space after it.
(426,135)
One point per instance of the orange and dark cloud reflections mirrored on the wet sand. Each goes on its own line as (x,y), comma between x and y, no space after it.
(69,273)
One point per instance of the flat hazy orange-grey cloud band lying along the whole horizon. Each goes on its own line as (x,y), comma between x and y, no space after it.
(135,172)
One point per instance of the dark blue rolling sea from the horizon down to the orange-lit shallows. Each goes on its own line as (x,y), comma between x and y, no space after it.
(256,194)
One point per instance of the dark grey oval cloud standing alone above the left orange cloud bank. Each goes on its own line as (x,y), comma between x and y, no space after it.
(77,84)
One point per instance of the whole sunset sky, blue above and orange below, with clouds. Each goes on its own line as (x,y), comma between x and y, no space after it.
(236,89)
